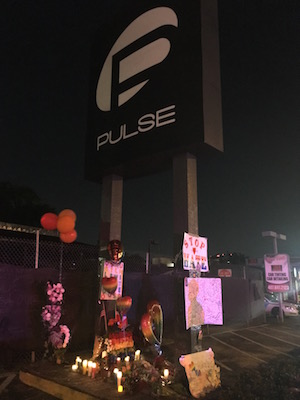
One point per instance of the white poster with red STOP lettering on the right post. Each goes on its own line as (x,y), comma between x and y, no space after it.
(194,251)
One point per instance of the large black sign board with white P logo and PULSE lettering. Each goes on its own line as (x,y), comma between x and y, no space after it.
(146,98)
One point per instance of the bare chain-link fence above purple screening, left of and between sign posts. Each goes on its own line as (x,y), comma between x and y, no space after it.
(29,247)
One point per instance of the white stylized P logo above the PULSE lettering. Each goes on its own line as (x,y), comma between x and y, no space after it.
(130,56)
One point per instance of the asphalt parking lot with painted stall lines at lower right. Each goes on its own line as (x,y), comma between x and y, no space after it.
(248,347)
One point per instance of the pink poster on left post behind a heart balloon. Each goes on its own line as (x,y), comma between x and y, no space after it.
(111,289)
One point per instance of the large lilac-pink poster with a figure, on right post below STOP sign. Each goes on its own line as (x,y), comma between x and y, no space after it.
(203,301)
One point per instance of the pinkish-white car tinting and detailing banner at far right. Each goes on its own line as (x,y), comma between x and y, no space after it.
(277,269)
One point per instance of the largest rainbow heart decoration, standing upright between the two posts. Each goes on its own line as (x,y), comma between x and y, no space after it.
(152,324)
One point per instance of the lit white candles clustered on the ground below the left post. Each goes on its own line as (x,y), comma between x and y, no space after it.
(90,368)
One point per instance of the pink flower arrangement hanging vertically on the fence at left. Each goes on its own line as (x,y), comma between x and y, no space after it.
(58,336)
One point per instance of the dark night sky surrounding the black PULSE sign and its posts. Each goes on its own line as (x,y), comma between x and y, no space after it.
(253,187)
